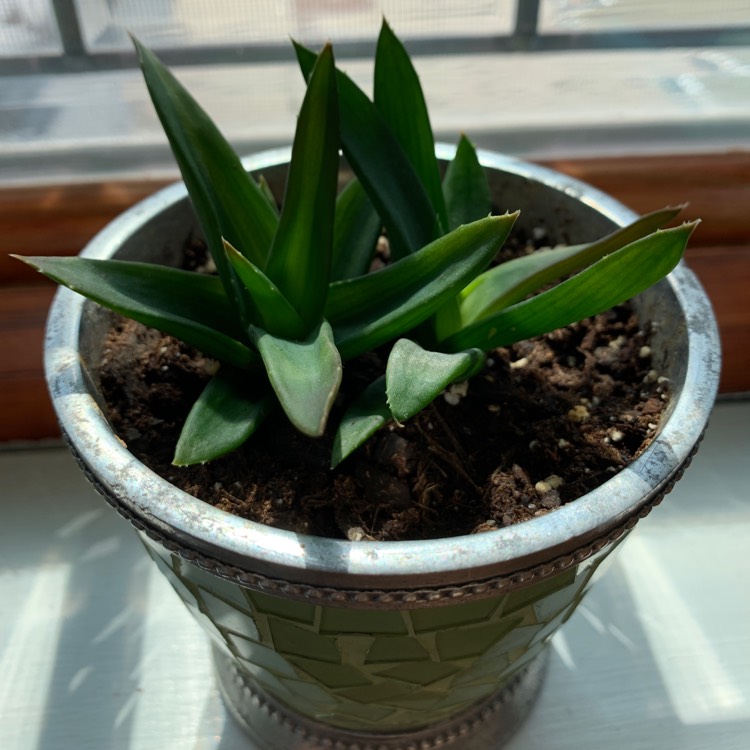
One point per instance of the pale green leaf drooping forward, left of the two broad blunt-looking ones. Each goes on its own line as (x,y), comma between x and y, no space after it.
(305,375)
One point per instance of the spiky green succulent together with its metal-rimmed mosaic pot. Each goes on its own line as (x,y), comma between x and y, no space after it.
(346,313)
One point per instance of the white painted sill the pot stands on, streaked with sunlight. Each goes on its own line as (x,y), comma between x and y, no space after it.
(95,641)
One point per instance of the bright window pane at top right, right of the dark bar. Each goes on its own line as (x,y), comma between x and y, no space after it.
(586,16)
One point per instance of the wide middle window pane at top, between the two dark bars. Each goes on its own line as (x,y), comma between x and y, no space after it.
(178,23)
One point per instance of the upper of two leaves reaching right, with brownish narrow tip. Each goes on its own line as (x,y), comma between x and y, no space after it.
(513,281)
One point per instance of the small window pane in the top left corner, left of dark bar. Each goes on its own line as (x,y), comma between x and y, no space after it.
(27,27)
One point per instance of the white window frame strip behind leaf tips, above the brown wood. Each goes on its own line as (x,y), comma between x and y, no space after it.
(92,126)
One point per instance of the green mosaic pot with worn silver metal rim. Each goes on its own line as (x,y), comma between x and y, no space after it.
(323,643)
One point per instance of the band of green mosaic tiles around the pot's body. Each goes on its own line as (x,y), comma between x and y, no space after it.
(386,671)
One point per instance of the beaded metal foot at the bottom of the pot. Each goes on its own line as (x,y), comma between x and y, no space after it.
(272,726)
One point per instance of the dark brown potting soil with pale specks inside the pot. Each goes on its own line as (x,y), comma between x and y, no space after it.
(547,421)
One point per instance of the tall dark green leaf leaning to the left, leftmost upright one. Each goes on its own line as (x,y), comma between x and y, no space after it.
(227,200)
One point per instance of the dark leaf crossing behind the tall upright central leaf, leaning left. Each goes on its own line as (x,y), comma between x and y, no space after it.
(381,165)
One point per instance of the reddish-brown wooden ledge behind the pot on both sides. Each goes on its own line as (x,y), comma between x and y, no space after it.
(60,219)
